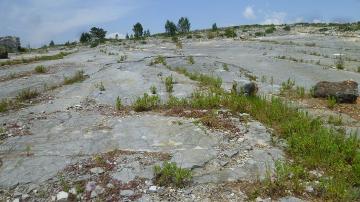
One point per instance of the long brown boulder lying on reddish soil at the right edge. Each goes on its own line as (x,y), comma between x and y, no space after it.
(343,92)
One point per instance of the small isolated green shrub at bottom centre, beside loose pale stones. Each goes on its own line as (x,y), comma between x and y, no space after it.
(172,175)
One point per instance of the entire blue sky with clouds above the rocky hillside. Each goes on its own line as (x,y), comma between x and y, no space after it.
(37,22)
